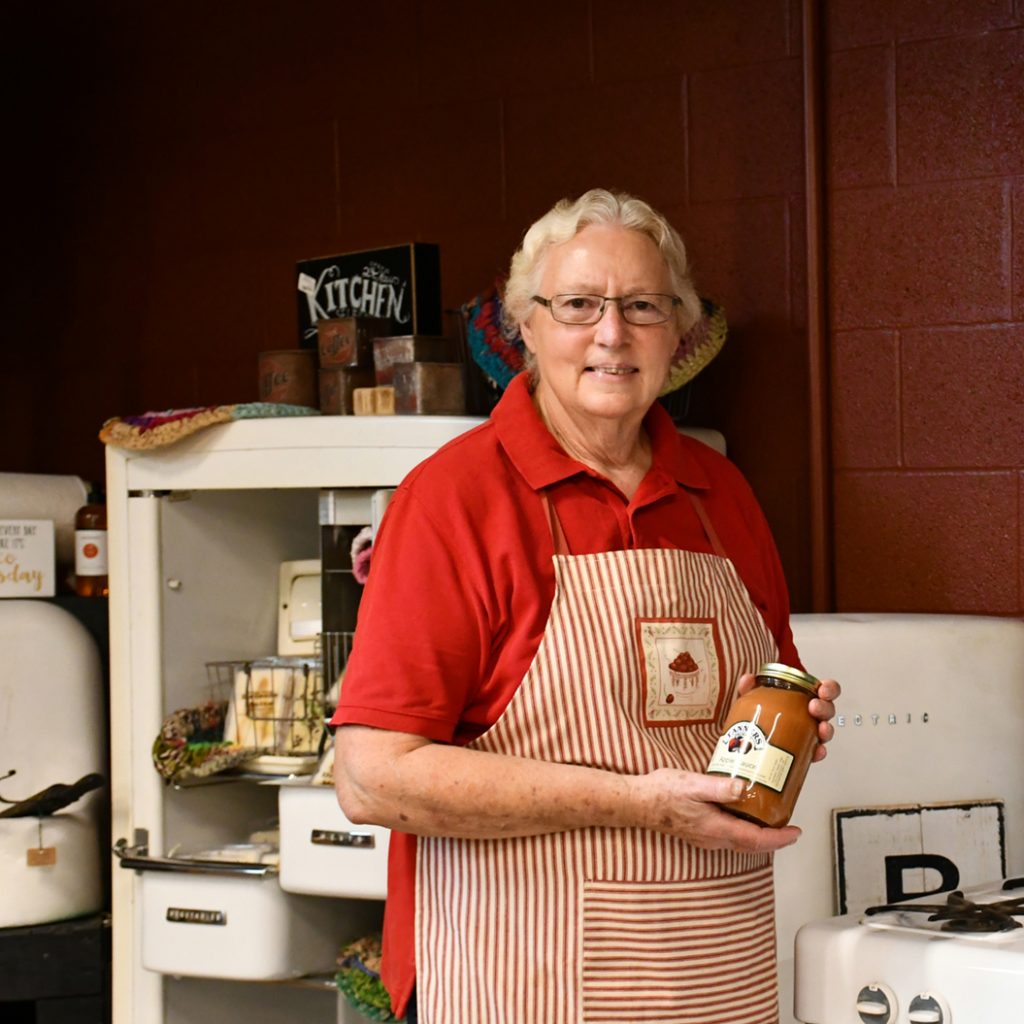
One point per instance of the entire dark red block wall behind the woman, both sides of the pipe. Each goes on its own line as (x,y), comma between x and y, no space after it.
(169,164)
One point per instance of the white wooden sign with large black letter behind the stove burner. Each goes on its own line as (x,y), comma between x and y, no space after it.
(890,855)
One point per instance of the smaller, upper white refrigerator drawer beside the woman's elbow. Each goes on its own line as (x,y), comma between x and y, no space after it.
(323,854)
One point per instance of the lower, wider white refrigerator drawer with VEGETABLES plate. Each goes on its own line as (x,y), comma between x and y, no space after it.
(245,928)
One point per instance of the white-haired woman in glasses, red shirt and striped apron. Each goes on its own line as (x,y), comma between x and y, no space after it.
(560,854)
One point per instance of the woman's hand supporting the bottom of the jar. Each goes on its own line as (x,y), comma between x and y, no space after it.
(688,805)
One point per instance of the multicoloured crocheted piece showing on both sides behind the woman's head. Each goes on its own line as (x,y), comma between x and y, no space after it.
(500,355)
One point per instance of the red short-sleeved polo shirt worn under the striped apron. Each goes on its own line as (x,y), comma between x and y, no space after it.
(462,582)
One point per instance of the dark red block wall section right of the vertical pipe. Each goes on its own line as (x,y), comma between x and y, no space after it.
(927,304)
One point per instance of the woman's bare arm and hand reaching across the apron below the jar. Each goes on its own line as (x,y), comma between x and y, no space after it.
(416,786)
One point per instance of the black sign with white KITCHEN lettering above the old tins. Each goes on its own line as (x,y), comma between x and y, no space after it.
(401,284)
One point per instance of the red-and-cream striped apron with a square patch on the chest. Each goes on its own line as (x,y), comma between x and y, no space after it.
(635,672)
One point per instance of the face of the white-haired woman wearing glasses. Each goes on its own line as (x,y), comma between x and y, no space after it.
(608,370)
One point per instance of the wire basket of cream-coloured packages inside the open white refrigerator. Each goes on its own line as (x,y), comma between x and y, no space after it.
(276,706)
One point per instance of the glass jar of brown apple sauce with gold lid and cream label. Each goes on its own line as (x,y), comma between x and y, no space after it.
(769,742)
